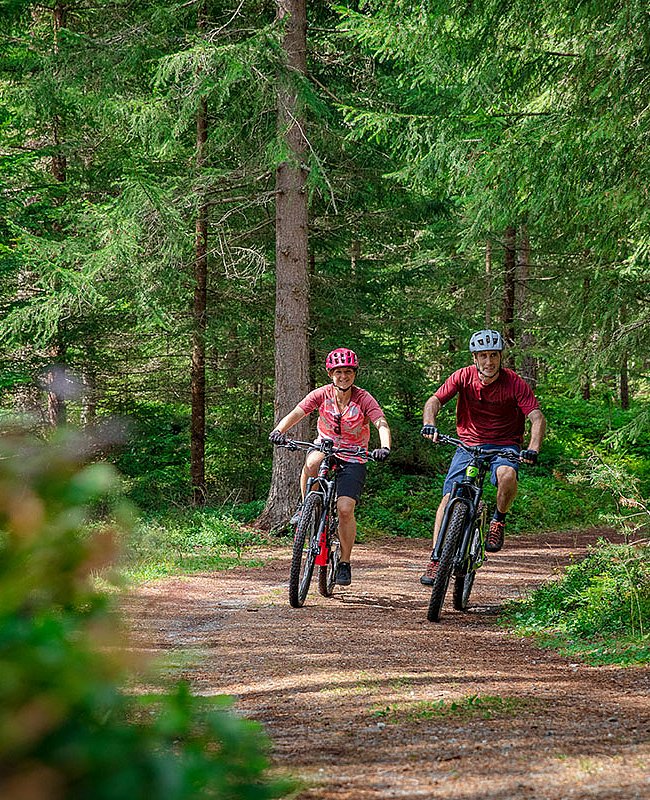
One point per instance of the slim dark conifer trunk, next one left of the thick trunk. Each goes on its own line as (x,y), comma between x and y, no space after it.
(199,309)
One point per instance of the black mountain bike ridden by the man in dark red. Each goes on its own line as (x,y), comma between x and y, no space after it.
(460,546)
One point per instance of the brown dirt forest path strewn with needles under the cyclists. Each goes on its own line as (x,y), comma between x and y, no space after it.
(345,687)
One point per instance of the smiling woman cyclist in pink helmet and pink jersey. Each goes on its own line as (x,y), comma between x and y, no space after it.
(344,415)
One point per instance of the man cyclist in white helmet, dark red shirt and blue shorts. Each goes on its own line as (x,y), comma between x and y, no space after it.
(492,407)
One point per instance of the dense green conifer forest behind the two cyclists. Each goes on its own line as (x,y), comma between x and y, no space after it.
(465,164)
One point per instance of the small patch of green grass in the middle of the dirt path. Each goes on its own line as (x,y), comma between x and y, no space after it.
(470,707)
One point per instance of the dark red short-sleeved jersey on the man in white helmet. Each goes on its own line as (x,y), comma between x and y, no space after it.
(489,414)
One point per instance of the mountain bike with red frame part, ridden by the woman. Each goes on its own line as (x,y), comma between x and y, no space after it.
(316,541)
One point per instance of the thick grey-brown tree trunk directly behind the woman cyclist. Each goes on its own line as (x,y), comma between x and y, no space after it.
(292,279)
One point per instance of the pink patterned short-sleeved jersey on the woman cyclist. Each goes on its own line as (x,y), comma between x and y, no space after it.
(348,429)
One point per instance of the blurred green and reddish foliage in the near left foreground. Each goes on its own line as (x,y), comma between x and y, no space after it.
(65,726)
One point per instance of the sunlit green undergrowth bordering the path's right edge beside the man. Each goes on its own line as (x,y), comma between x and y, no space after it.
(598,610)
